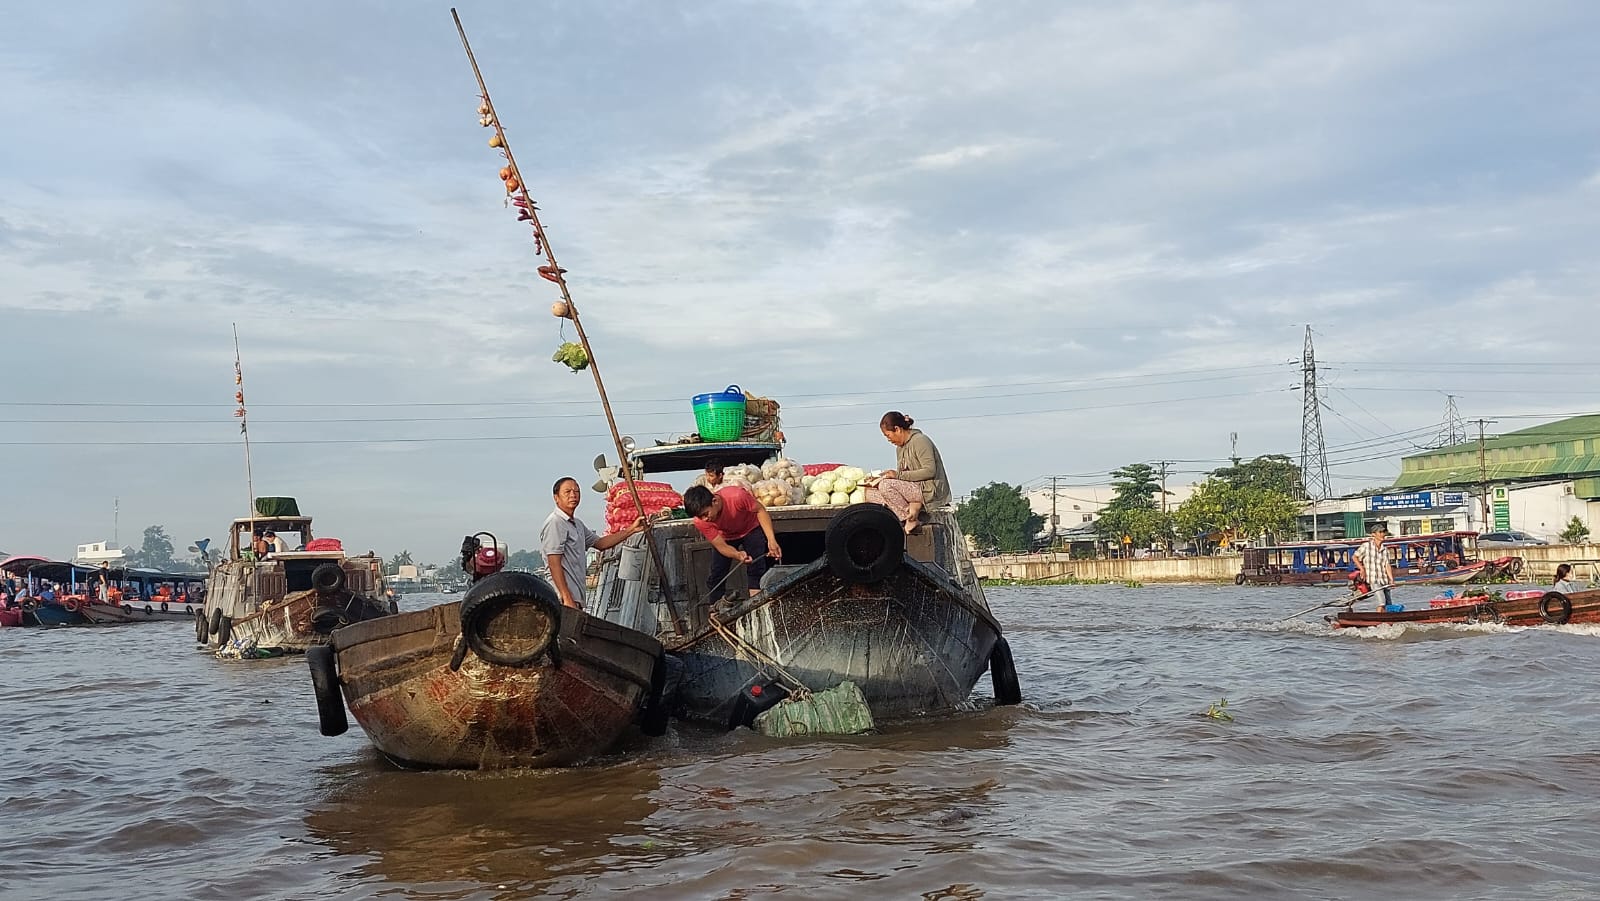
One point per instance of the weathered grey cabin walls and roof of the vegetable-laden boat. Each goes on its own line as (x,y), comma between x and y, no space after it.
(633,595)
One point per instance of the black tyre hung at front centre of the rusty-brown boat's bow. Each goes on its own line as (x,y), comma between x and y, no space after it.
(495,601)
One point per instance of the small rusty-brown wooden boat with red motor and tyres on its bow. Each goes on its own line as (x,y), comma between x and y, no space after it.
(505,678)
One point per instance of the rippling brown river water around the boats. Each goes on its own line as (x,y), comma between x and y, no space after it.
(1436,763)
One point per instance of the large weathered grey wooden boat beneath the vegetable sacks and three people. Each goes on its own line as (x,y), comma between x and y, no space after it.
(857,601)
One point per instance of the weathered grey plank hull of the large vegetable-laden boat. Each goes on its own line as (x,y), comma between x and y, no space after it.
(914,644)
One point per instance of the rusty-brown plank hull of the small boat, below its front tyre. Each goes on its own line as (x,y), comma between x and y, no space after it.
(561,710)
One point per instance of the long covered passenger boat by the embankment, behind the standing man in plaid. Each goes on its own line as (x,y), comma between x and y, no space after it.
(1446,558)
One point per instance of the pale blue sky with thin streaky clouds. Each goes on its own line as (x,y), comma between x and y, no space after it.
(1060,236)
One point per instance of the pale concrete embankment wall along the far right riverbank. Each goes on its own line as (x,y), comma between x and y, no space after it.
(1542,563)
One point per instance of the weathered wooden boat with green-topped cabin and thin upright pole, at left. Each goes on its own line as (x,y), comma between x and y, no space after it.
(292,599)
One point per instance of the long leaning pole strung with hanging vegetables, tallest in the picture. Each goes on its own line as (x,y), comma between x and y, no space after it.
(578,356)
